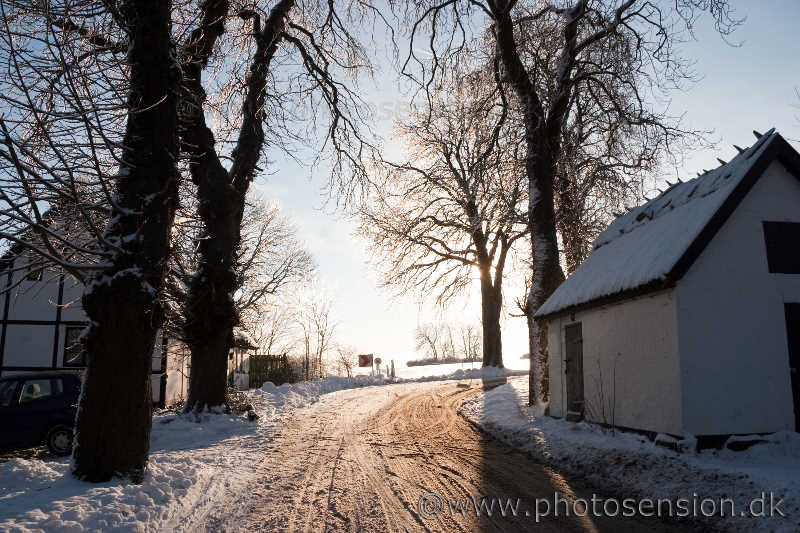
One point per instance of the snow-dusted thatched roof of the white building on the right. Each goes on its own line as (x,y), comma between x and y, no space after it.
(652,245)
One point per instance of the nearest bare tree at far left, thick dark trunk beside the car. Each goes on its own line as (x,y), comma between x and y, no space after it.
(78,77)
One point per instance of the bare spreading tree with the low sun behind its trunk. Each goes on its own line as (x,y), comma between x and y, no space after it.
(458,208)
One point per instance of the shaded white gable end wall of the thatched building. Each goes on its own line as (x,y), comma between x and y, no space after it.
(731,324)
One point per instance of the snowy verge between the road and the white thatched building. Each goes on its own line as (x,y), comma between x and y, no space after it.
(631,466)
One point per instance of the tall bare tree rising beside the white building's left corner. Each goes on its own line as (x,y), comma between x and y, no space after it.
(601,49)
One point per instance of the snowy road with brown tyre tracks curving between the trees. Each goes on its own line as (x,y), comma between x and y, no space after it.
(361,460)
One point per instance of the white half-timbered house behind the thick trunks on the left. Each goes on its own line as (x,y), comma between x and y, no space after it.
(42,319)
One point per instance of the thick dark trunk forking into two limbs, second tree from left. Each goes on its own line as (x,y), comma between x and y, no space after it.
(210,310)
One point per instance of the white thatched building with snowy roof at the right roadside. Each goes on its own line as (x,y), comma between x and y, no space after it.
(685,317)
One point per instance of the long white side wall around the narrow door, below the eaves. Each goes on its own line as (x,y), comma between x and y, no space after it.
(635,342)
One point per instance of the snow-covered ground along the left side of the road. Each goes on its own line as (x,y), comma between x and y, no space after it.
(193,467)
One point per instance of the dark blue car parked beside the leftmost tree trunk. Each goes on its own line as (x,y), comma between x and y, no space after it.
(39,409)
